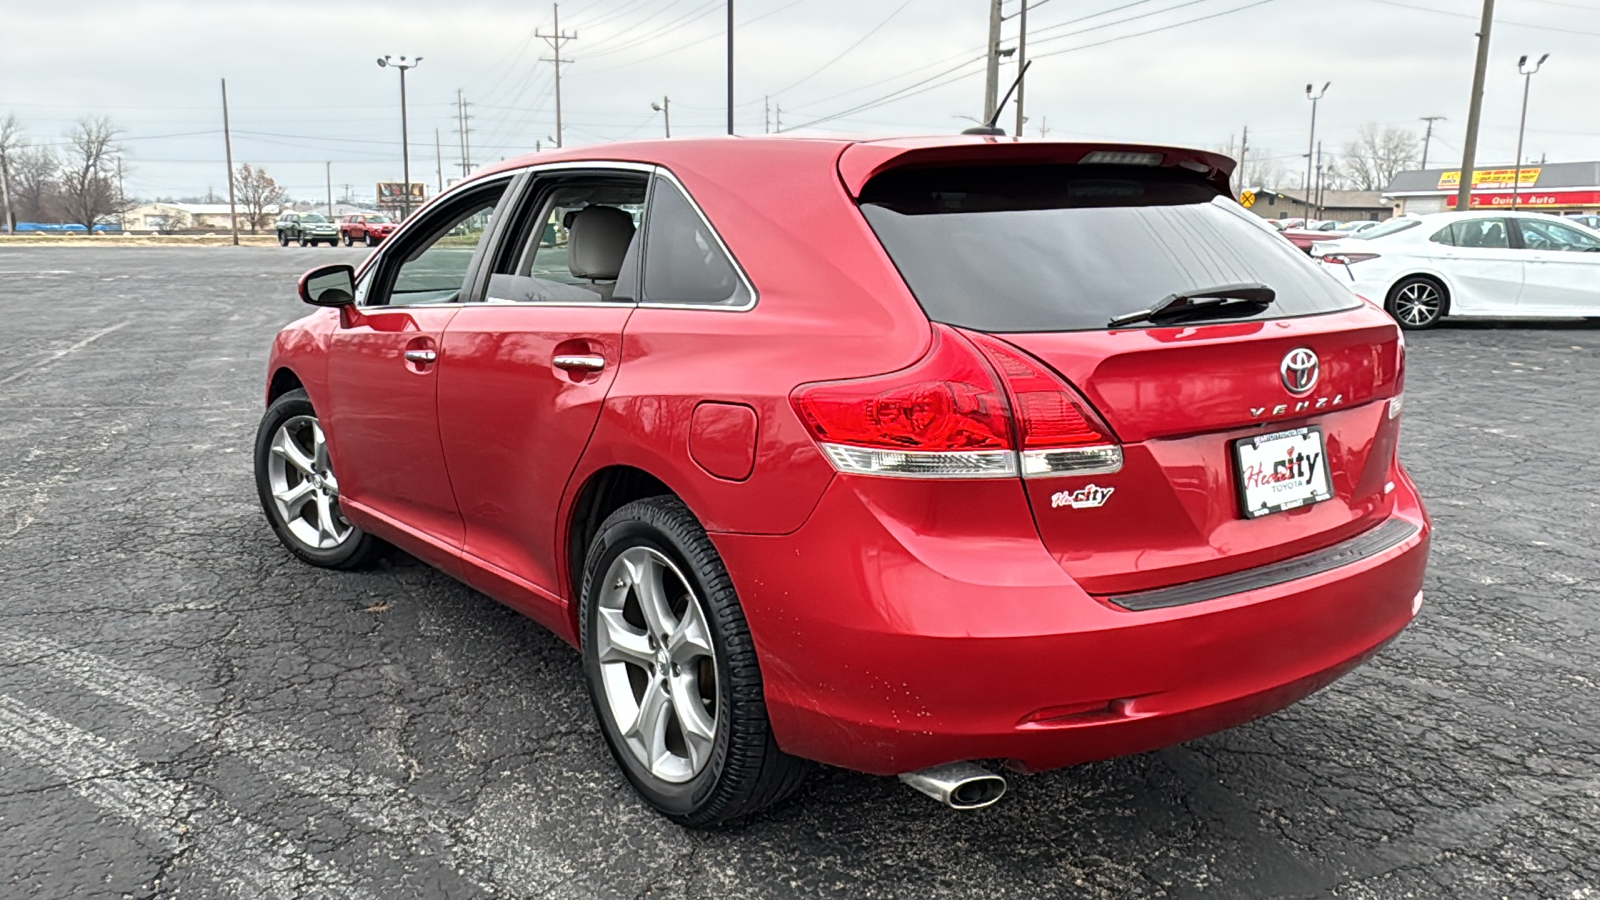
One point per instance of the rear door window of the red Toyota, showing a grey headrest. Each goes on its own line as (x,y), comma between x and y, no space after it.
(577,241)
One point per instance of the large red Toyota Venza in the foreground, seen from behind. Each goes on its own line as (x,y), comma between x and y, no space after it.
(894,456)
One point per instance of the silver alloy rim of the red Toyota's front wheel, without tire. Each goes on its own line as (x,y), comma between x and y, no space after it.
(305,491)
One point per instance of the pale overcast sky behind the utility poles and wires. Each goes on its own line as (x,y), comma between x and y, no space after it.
(310,102)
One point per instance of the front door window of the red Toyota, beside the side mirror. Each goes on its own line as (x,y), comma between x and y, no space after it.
(431,265)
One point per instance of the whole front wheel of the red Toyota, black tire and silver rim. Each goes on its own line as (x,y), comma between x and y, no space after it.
(300,492)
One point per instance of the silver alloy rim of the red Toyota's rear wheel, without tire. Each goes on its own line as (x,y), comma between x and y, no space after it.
(658,665)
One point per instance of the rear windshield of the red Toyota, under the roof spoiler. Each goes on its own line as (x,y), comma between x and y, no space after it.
(1070,247)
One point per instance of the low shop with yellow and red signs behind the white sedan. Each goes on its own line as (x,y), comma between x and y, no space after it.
(1551,188)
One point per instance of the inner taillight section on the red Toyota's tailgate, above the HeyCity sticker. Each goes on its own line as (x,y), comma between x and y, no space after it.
(1058,432)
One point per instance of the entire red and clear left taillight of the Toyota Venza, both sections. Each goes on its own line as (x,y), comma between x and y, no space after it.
(946,417)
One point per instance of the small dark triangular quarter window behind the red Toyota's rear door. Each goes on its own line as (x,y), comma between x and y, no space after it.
(684,260)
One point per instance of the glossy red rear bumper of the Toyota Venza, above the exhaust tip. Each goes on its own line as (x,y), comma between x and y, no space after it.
(889,651)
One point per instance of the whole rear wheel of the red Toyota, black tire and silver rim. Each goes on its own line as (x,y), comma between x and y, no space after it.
(673,670)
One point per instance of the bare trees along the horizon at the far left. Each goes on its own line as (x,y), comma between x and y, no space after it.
(81,180)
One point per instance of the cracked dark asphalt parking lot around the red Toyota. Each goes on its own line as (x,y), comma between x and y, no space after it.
(188,712)
